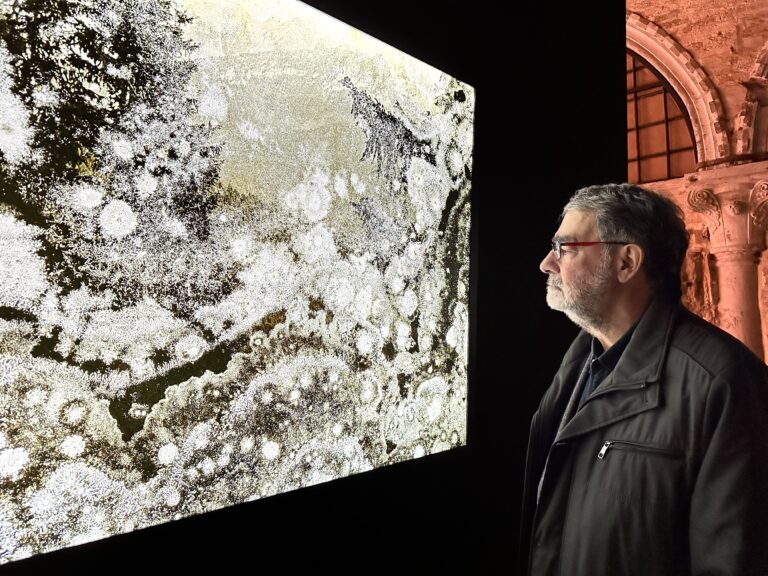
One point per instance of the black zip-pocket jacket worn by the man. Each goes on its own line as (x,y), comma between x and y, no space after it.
(664,470)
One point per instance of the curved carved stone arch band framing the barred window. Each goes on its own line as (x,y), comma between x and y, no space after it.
(688,79)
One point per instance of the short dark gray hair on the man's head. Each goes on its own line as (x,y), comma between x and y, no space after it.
(629,213)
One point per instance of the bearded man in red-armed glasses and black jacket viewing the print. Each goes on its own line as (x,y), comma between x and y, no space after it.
(648,454)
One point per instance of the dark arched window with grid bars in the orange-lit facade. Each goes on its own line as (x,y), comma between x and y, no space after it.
(660,140)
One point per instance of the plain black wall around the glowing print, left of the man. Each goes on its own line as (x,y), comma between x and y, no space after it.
(550,118)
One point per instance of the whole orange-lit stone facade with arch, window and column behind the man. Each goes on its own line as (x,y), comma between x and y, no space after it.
(697,121)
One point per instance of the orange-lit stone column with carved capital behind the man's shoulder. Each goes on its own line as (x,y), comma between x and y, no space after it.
(735,213)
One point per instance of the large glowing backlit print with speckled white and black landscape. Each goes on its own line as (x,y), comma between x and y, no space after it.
(234,260)
